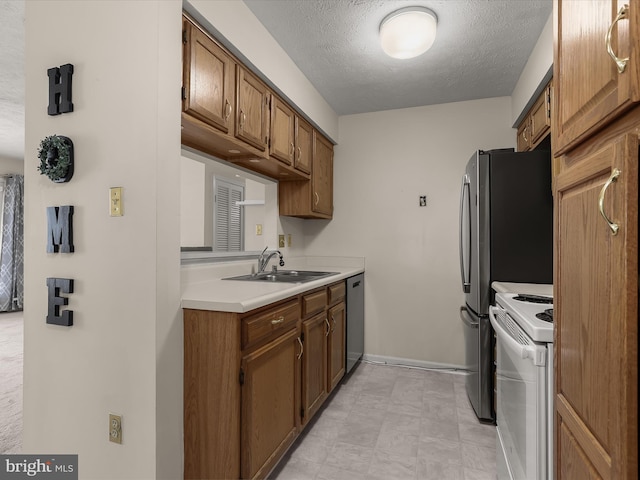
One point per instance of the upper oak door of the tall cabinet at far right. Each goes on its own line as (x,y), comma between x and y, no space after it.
(586,78)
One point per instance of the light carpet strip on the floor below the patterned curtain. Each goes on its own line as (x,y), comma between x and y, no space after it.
(11,354)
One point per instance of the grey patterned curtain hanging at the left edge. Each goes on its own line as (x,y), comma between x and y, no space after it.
(12,248)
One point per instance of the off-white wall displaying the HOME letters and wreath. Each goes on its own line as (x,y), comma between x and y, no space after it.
(124,352)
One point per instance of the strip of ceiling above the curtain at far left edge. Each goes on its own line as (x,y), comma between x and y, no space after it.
(12,79)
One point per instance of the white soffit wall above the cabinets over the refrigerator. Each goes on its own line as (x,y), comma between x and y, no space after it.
(537,66)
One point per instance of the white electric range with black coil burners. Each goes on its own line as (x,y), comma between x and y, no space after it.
(524,399)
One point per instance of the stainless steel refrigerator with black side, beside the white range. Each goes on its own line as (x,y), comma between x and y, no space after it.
(506,234)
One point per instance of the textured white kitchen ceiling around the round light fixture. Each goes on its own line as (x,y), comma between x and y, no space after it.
(480,49)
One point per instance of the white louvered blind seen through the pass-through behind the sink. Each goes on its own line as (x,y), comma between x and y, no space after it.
(228,217)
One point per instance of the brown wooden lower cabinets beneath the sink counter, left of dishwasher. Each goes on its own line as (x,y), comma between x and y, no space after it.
(252,381)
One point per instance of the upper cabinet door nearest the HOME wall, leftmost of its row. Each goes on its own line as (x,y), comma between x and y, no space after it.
(209,75)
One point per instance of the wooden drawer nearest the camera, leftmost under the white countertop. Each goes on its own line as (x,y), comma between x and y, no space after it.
(269,322)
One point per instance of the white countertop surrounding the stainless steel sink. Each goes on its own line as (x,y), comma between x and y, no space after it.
(203,287)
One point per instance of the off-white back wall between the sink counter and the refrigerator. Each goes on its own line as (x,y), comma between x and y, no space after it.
(384,162)
